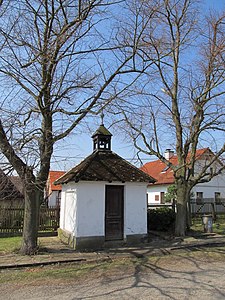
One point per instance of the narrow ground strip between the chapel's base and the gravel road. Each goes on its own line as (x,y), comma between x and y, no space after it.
(56,252)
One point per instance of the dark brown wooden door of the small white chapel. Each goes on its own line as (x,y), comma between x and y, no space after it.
(114,212)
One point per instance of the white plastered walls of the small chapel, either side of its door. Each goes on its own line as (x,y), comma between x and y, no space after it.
(82,212)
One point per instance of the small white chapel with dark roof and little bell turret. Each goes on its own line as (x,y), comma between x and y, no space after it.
(103,198)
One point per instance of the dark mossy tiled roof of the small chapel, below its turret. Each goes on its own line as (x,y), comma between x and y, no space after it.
(105,166)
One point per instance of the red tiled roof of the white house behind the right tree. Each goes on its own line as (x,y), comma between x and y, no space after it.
(159,170)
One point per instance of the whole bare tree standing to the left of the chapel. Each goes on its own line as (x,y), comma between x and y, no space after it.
(58,63)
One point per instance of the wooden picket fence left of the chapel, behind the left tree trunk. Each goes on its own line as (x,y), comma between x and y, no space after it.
(11,220)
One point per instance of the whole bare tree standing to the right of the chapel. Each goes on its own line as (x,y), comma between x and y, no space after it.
(180,97)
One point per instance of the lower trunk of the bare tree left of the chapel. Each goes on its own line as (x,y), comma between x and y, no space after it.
(31,217)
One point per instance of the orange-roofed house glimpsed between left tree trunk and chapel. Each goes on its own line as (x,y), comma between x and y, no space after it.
(53,192)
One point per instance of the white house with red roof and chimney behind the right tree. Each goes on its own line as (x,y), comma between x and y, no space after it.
(212,191)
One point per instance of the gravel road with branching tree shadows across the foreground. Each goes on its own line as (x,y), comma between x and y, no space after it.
(182,275)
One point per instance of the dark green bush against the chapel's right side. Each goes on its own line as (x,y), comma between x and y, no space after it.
(161,219)
